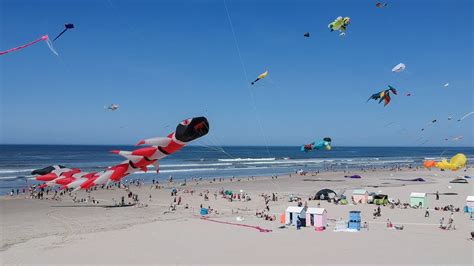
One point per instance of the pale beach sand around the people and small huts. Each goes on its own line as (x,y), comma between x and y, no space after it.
(48,231)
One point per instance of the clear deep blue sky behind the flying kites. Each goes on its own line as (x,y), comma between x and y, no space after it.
(163,61)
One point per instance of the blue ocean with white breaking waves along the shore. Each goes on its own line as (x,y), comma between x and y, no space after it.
(17,161)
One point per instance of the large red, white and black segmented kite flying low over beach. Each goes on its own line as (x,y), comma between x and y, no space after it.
(137,160)
